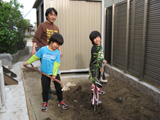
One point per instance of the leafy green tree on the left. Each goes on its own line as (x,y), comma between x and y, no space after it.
(12,27)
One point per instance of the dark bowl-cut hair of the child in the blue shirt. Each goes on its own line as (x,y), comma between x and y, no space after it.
(56,37)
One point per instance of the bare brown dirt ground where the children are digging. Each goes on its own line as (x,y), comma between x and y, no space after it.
(120,102)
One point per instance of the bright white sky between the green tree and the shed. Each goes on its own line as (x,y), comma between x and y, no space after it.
(27,6)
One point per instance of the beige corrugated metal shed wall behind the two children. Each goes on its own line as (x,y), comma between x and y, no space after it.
(76,19)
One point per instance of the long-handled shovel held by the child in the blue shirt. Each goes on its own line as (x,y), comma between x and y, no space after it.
(65,87)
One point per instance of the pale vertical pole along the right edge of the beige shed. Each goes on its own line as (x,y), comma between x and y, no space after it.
(102,24)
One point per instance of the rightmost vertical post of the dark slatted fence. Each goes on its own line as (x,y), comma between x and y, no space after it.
(143,40)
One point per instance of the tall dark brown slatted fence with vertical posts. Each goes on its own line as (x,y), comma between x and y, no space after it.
(132,38)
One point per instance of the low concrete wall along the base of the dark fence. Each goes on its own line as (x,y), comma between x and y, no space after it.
(145,88)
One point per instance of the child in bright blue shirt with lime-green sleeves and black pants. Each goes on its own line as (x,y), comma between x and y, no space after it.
(50,62)
